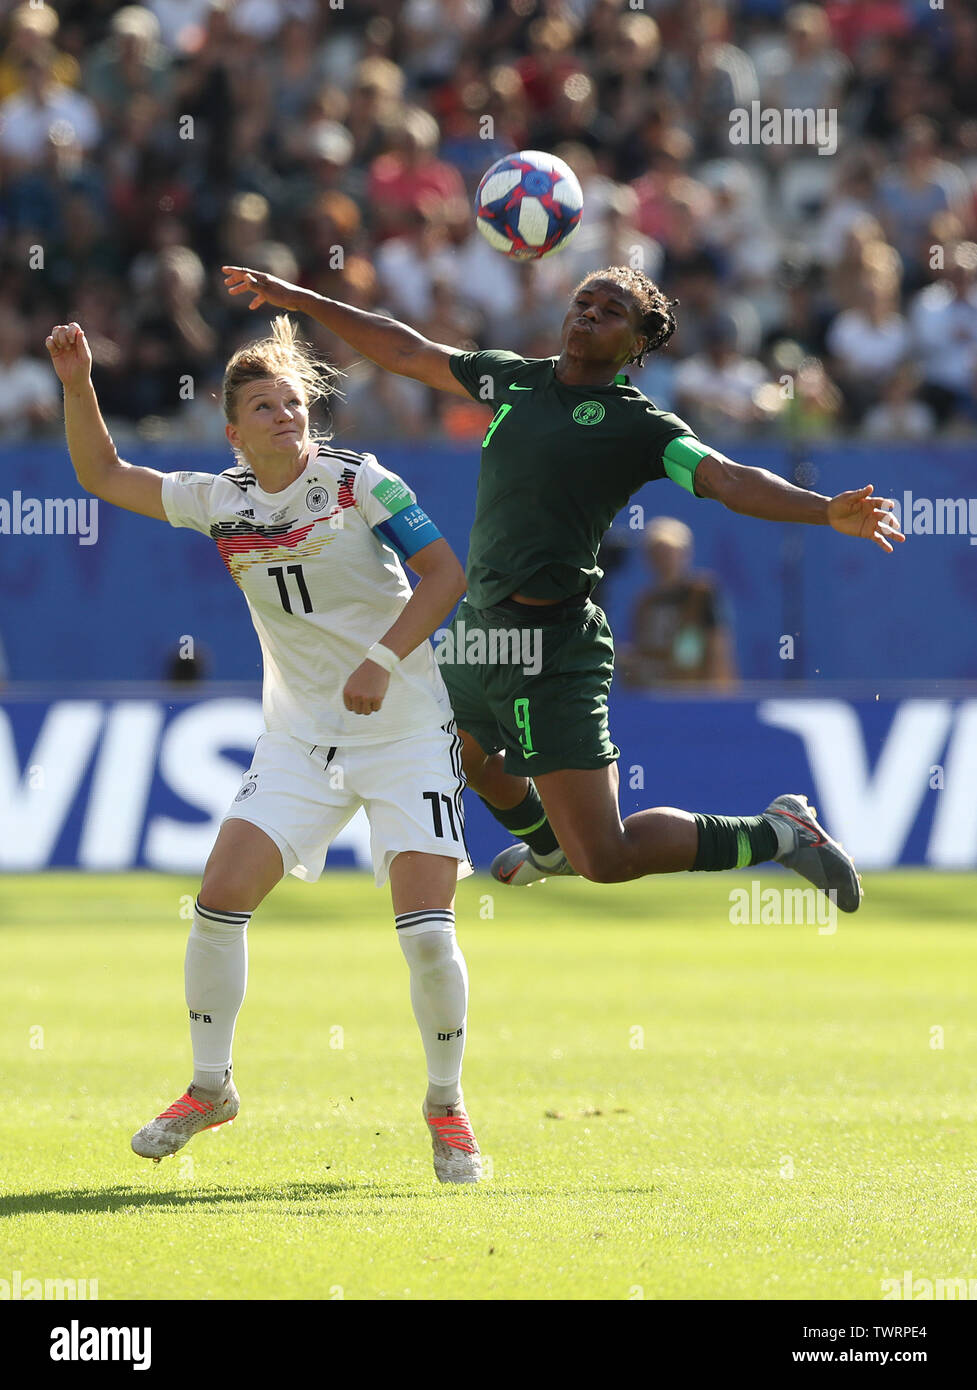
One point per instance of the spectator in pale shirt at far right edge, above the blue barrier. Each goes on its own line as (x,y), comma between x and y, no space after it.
(944,336)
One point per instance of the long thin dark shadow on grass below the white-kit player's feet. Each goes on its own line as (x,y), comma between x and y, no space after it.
(122,1197)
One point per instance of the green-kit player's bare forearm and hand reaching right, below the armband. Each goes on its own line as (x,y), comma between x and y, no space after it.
(760,494)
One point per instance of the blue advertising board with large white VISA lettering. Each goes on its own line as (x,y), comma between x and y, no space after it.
(122,782)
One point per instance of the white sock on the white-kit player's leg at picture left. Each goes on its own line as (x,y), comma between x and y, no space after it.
(216,976)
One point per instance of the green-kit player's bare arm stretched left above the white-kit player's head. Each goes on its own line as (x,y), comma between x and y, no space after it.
(386,341)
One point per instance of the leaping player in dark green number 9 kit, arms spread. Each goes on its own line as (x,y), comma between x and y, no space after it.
(569,444)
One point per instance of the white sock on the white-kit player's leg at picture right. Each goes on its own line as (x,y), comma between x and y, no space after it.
(438,995)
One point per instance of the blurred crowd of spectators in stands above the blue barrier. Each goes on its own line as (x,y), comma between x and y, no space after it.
(338,144)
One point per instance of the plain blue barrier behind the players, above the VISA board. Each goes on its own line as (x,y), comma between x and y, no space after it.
(117,598)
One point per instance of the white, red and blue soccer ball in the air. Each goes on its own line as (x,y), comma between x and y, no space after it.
(529,205)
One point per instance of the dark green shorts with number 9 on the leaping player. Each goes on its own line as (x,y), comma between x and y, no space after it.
(534,682)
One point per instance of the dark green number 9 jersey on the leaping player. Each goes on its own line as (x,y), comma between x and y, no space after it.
(558,466)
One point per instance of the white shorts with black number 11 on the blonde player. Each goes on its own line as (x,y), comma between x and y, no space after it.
(302,796)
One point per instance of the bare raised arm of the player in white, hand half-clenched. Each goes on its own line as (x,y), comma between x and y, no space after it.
(99,468)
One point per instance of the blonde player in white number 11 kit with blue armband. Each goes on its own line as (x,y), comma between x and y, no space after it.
(313,536)
